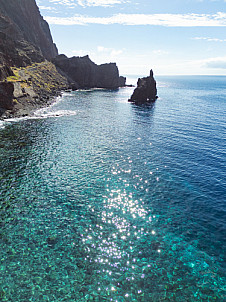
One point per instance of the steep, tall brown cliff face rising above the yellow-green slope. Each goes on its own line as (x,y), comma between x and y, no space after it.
(25,37)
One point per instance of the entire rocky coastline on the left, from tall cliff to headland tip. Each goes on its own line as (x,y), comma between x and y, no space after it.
(28,76)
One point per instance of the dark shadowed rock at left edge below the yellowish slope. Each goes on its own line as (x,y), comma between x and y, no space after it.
(6,95)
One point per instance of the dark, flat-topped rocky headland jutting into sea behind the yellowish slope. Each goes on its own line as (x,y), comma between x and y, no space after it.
(83,73)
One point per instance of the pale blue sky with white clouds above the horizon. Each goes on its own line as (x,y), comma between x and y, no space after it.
(172,37)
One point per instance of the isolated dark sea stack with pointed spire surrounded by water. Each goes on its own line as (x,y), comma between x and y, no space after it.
(146,90)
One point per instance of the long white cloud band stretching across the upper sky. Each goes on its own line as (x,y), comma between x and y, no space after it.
(169,20)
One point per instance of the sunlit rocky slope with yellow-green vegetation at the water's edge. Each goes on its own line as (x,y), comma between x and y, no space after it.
(30,88)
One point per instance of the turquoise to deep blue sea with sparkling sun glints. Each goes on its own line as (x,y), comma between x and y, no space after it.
(104,200)
